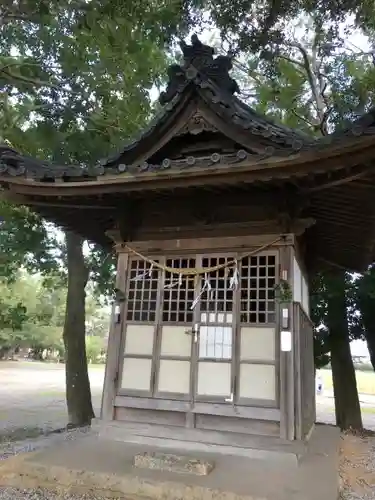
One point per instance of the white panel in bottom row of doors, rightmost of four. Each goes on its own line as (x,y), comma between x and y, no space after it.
(257,382)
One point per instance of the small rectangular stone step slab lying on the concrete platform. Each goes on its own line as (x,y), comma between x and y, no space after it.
(172,463)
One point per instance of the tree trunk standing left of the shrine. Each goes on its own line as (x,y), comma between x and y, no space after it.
(78,393)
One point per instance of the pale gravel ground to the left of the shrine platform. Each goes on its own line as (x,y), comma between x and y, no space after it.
(32,404)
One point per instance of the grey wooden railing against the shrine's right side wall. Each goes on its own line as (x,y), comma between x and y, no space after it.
(304,371)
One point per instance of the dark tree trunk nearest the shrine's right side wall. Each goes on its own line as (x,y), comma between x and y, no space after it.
(347,407)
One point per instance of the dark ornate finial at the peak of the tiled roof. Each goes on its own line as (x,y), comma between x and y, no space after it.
(199,66)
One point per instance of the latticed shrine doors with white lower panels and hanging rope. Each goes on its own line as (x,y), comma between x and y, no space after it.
(208,337)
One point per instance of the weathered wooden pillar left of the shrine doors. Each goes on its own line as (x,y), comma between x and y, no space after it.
(114,344)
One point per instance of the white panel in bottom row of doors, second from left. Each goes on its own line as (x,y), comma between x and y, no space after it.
(174,376)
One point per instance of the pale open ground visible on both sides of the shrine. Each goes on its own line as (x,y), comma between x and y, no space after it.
(32,397)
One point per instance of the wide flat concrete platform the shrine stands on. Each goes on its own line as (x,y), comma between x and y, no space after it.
(106,467)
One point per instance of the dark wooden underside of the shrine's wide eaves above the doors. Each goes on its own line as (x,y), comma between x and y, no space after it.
(344,215)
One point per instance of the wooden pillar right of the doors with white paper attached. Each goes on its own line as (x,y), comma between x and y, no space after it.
(287,406)
